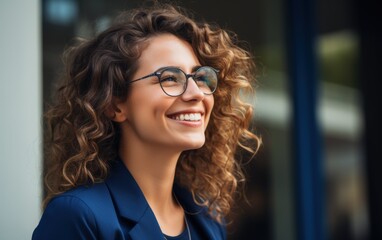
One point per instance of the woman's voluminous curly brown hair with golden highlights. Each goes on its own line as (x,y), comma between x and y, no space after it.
(82,141)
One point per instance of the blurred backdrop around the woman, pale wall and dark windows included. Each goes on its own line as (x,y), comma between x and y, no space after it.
(316,108)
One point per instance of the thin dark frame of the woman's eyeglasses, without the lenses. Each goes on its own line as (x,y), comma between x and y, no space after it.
(159,72)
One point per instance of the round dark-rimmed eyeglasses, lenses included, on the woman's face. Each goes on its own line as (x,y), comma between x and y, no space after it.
(174,81)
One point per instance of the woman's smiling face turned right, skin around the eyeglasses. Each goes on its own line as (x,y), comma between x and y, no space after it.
(154,119)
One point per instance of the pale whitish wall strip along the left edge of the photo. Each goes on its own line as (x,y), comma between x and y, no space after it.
(20,118)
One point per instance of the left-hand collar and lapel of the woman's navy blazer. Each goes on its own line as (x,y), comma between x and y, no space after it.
(131,204)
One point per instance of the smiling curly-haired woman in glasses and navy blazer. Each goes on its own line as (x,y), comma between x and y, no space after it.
(143,136)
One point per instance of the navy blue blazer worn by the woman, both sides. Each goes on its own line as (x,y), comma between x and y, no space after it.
(115,209)
